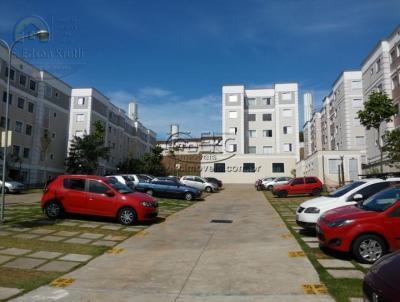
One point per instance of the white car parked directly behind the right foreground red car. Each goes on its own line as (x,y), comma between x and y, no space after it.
(308,212)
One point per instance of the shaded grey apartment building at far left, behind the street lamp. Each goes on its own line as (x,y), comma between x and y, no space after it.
(39,108)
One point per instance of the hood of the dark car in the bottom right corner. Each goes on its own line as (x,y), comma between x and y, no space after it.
(387,269)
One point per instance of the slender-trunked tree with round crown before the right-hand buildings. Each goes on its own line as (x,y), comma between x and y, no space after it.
(378,109)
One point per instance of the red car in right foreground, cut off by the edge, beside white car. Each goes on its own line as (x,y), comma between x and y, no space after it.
(367,230)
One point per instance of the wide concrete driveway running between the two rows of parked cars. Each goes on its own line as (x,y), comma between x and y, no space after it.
(187,258)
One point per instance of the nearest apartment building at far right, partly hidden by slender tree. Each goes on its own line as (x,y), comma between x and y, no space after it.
(380,72)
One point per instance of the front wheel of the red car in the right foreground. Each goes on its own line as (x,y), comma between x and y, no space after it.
(369,248)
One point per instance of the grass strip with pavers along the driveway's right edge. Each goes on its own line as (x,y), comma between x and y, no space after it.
(341,289)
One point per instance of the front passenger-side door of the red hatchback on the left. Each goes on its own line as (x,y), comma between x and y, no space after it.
(99,203)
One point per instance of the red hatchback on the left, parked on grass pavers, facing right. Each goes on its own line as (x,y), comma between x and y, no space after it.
(99,196)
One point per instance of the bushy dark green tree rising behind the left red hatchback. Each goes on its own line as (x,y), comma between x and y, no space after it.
(85,152)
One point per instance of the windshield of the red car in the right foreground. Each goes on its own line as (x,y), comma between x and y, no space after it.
(382,200)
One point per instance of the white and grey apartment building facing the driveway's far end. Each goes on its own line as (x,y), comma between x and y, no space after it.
(260,133)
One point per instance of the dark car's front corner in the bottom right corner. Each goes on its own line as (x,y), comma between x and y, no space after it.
(382,281)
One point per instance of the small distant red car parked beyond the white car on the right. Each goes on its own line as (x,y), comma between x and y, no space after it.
(300,185)
